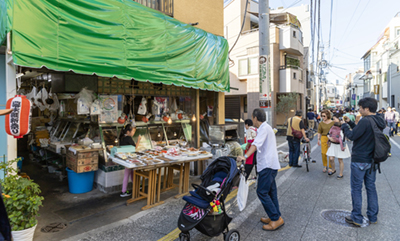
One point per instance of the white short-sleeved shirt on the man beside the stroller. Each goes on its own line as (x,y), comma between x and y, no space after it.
(267,153)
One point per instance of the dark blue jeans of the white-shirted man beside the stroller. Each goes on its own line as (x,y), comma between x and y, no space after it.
(268,193)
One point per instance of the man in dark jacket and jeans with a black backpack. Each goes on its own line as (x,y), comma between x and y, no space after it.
(362,154)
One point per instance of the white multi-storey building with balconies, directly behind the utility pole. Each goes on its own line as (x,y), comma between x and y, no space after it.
(288,59)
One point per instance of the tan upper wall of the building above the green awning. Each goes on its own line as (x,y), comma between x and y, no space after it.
(208,13)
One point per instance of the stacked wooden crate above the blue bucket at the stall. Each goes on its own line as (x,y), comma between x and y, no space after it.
(86,161)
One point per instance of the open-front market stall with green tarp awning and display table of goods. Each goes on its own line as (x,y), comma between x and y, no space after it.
(87,98)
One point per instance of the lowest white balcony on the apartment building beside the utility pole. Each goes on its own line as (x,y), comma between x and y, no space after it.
(290,80)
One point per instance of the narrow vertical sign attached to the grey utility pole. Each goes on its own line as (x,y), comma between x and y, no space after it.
(265,92)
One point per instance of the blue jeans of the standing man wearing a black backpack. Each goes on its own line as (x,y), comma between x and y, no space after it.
(358,176)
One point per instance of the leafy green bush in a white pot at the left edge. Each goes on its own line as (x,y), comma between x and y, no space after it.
(22,202)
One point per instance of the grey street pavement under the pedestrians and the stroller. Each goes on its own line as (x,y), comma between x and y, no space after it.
(302,197)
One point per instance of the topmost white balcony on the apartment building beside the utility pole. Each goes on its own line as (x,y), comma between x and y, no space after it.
(291,40)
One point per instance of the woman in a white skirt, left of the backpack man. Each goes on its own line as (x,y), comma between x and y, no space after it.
(335,149)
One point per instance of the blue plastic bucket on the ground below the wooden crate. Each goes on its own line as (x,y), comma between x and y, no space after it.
(80,182)
